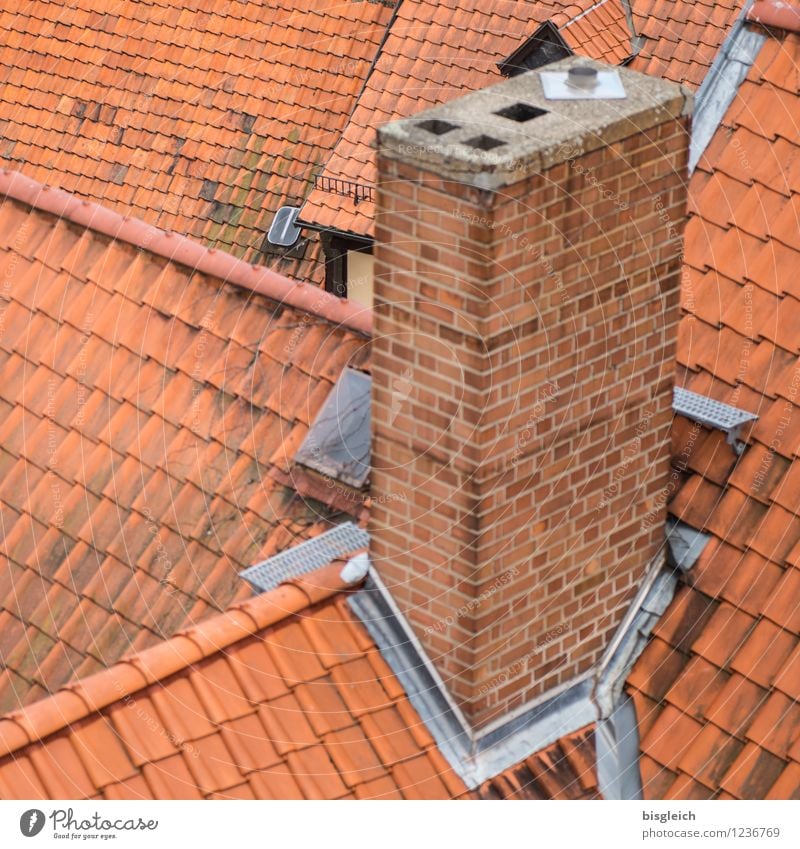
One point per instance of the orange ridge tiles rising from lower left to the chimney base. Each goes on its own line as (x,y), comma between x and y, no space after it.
(87,696)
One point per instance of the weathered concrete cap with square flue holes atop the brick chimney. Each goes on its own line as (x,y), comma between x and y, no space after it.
(501,134)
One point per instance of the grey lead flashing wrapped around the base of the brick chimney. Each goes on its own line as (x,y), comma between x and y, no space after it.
(597,697)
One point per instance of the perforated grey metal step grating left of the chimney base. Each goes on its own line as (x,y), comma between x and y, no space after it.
(306,556)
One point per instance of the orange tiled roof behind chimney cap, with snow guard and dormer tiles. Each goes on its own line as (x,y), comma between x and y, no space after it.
(435,51)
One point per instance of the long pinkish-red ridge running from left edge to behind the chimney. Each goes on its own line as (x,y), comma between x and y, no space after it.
(185,251)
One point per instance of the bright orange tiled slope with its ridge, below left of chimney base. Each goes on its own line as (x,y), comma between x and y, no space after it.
(284,696)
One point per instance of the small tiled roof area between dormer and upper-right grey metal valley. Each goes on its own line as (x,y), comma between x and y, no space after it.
(681,37)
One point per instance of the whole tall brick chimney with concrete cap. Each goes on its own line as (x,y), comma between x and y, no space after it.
(528,255)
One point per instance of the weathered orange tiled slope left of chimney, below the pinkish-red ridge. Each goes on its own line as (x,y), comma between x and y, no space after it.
(143,408)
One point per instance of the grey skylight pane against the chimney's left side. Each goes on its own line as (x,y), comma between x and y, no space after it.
(338,444)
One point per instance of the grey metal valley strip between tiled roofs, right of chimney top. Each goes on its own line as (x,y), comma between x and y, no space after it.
(726,74)
